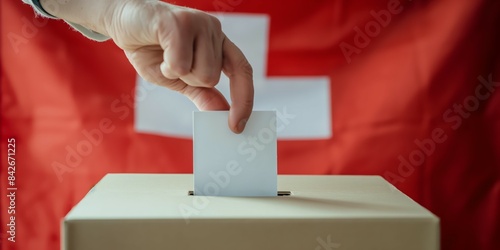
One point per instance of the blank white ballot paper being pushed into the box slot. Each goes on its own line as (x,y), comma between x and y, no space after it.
(229,164)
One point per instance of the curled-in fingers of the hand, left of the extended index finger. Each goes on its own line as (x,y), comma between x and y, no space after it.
(192,51)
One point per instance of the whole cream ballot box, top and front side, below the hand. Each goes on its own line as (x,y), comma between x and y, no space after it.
(158,211)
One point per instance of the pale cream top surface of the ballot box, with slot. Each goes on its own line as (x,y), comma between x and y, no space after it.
(142,196)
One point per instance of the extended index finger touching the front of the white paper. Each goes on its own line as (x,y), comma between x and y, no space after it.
(236,67)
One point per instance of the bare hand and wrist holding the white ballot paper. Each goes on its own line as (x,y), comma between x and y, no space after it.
(179,48)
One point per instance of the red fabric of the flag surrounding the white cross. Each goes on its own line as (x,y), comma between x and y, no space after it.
(414,98)
